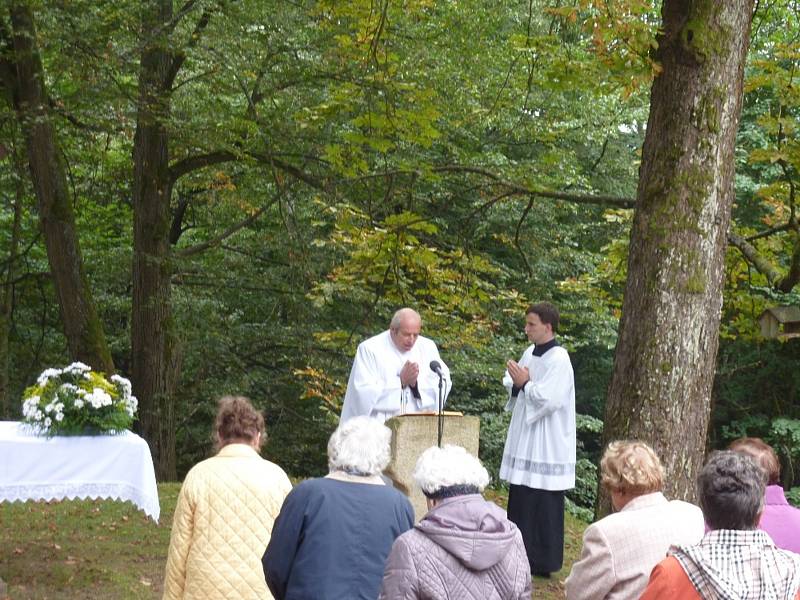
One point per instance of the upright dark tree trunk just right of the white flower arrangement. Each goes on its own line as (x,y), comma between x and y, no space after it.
(155,358)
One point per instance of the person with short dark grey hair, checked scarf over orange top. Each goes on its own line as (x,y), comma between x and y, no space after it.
(734,559)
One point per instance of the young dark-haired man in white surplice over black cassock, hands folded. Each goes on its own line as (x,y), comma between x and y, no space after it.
(539,455)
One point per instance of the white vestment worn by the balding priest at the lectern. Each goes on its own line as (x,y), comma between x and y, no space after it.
(374,385)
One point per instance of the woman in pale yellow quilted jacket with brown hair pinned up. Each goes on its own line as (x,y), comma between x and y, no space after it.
(226,508)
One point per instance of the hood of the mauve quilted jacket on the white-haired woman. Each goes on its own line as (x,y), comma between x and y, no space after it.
(473,530)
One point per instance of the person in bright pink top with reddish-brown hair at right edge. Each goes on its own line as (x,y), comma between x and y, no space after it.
(779,519)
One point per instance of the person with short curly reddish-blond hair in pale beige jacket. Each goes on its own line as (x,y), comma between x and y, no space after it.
(620,550)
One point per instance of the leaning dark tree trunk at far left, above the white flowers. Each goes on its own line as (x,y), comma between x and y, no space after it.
(82,326)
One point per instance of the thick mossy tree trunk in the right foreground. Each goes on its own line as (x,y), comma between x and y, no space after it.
(665,358)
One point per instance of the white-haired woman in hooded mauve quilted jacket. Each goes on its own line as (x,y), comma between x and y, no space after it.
(465,547)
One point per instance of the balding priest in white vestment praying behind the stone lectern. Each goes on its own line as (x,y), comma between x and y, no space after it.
(392,375)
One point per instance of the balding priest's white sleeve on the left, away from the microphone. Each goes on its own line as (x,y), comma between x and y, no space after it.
(368,388)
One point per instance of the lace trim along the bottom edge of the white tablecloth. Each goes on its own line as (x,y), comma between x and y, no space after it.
(82,491)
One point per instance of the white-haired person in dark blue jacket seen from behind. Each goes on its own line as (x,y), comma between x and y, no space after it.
(333,534)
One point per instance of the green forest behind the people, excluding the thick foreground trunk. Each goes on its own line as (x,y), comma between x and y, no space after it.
(216,197)
